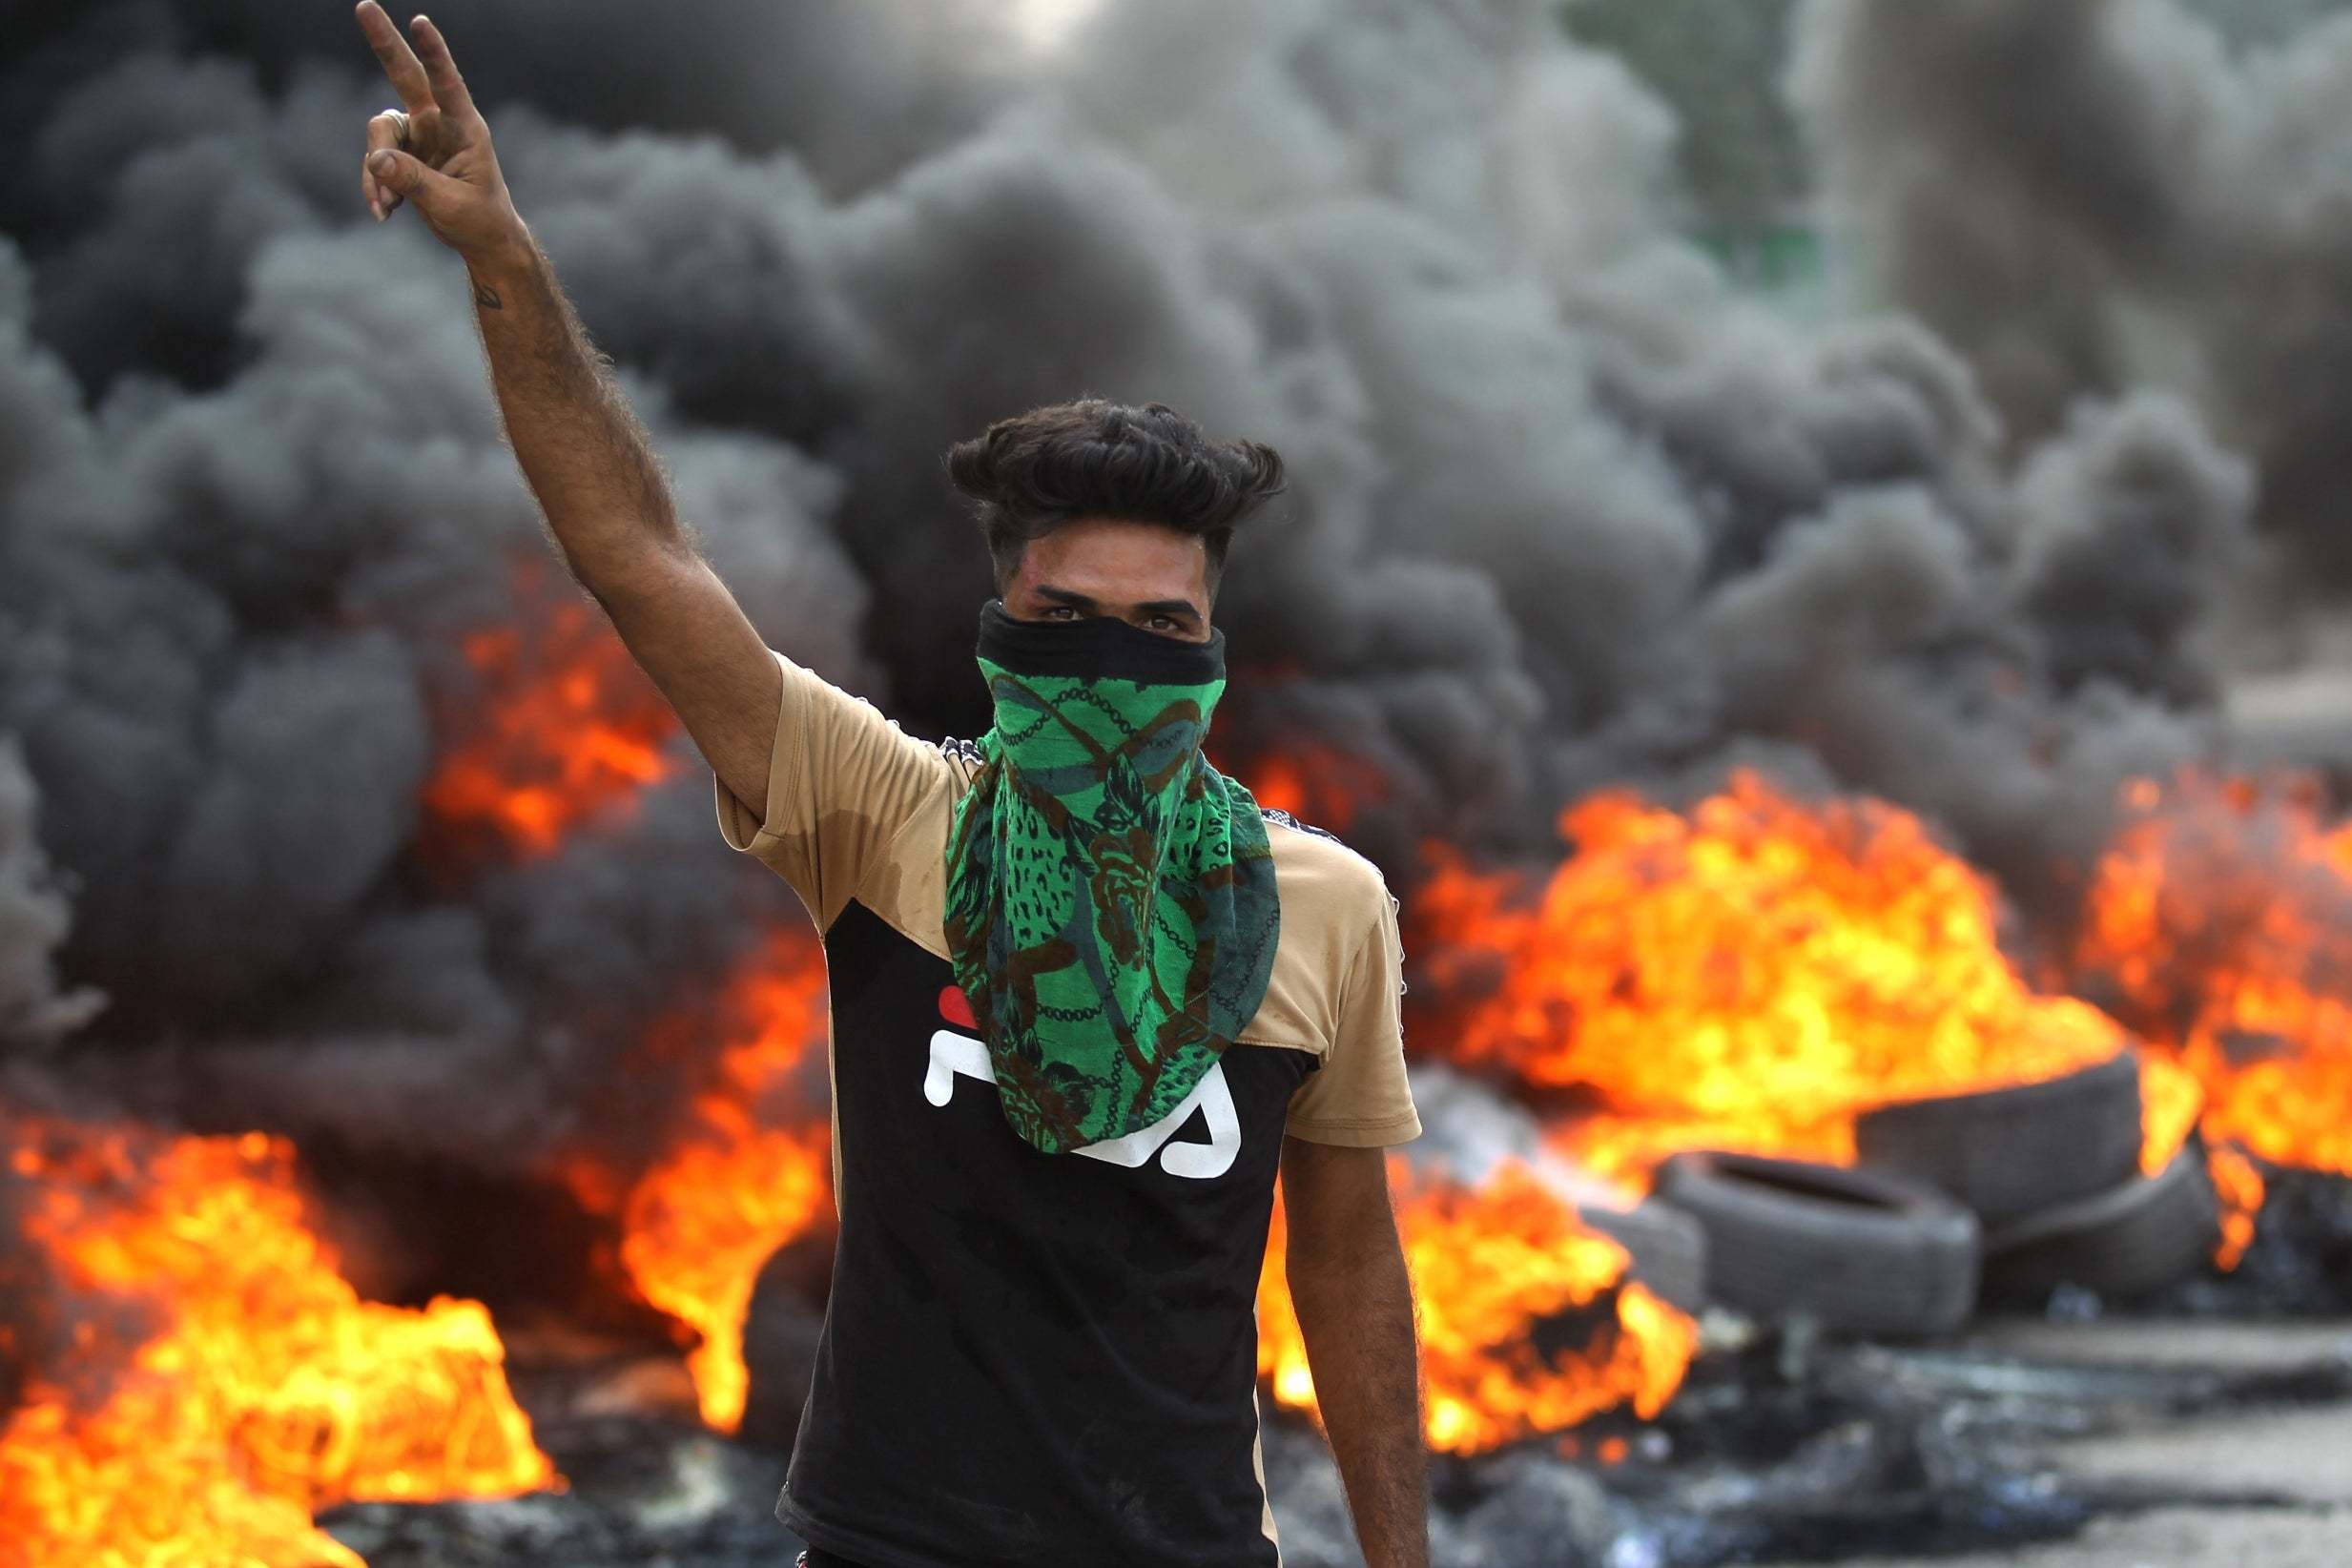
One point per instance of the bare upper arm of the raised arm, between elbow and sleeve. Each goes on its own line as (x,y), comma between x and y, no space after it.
(707,659)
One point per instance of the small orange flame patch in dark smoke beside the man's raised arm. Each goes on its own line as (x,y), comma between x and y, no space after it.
(561,730)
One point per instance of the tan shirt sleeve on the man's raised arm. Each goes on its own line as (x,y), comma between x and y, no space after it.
(841,784)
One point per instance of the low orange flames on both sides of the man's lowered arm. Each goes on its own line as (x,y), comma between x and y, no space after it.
(1490,1268)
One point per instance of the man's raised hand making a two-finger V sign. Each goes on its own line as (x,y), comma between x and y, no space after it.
(446,163)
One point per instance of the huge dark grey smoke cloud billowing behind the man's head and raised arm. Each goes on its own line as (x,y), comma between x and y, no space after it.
(1565,514)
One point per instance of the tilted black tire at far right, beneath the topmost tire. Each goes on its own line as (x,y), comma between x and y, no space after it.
(2123,1242)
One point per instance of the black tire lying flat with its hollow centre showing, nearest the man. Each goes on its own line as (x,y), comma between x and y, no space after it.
(1864,1252)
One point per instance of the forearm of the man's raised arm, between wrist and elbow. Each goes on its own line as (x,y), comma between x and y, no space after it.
(580,445)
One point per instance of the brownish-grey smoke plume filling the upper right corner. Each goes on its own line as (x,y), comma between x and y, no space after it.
(2092,194)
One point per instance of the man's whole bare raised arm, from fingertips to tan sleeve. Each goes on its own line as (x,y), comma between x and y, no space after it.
(580,445)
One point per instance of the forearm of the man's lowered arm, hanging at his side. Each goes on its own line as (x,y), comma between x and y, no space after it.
(1356,1315)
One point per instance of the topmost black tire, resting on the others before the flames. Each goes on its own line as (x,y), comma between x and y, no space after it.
(2022,1148)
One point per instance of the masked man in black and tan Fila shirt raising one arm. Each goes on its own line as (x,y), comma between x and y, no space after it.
(1085,996)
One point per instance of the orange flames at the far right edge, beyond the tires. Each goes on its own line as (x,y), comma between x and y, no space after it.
(2221,923)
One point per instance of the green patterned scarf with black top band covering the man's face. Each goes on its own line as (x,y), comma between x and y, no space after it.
(1111,897)
